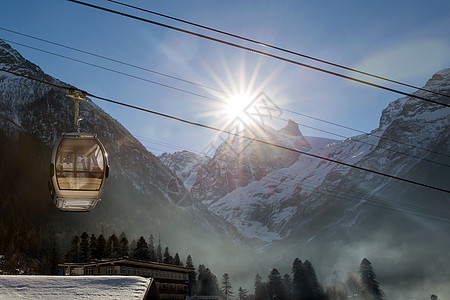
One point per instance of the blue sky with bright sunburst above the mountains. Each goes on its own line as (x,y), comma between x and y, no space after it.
(404,40)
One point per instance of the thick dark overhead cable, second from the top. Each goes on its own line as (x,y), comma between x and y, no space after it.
(259,52)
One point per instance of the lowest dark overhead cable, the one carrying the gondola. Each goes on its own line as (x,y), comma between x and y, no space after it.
(237,134)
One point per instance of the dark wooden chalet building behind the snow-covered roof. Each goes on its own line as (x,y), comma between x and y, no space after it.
(172,281)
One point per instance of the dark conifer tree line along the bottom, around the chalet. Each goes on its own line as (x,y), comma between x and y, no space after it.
(27,249)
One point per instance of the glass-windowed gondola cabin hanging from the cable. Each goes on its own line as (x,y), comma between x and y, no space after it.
(78,172)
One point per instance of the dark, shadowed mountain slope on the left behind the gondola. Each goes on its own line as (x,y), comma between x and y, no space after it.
(142,195)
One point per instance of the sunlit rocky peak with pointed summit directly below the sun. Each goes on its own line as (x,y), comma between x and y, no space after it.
(238,162)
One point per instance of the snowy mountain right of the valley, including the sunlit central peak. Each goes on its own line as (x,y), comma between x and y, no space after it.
(336,215)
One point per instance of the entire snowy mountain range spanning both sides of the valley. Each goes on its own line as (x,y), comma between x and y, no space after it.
(251,195)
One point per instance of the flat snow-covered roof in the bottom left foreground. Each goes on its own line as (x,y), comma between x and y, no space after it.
(74,287)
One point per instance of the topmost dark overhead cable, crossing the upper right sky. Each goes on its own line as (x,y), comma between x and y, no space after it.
(275,47)
